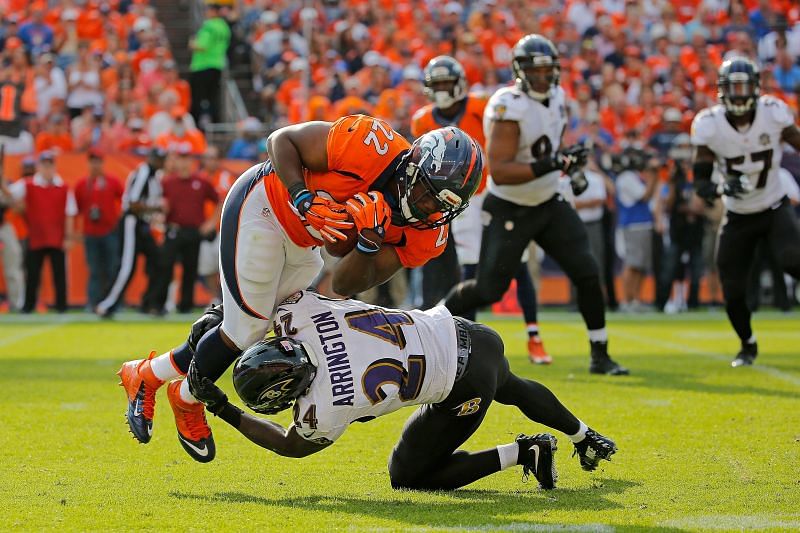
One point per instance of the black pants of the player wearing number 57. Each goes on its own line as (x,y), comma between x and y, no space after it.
(738,238)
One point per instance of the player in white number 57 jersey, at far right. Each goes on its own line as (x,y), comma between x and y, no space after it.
(743,136)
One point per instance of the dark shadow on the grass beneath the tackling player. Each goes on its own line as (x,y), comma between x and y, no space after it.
(498,508)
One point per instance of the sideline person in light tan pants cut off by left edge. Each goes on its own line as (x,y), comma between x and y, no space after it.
(12,249)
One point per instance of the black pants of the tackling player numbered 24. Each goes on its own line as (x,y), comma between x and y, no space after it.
(427,455)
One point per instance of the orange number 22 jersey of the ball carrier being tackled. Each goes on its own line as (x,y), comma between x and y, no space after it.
(361,149)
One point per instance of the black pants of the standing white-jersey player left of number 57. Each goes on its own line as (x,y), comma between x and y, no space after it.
(556,227)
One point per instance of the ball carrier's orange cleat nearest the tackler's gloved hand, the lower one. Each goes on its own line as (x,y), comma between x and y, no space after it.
(194,432)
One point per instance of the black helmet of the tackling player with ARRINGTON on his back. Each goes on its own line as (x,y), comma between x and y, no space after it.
(271,374)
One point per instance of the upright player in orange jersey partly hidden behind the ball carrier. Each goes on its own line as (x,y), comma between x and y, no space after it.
(446,88)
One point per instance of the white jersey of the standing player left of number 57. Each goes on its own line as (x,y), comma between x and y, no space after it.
(540,131)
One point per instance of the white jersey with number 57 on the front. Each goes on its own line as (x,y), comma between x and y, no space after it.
(754,152)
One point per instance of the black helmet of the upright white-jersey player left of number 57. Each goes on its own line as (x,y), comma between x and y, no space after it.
(536,66)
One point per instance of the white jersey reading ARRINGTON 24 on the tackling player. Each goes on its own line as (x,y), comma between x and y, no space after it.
(371,361)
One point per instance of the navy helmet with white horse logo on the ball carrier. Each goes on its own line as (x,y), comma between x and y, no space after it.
(448,165)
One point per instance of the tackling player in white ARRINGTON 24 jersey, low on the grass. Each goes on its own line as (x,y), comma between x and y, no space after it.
(344,361)
